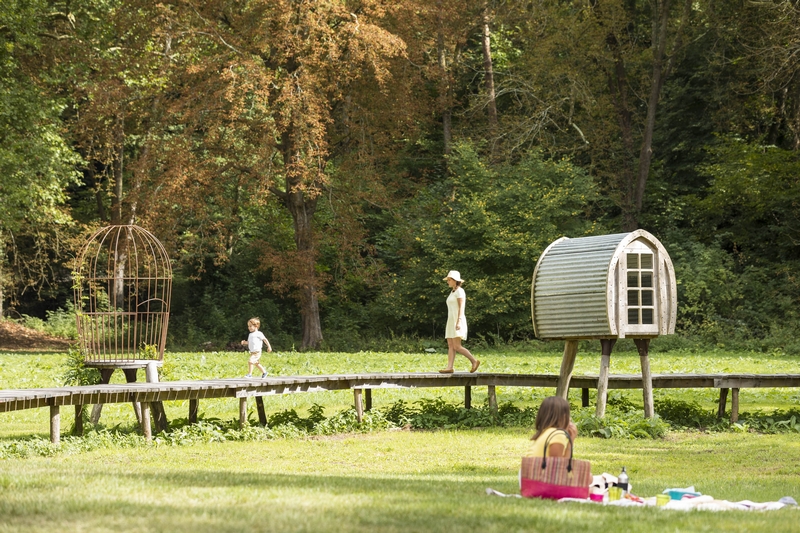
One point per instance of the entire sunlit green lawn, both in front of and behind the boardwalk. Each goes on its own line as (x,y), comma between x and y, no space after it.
(388,480)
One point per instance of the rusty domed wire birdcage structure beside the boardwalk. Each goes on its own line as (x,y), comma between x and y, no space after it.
(122,290)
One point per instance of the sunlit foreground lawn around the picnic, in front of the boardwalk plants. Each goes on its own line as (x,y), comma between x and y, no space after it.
(388,481)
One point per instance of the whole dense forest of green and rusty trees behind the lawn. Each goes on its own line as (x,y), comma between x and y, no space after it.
(323,163)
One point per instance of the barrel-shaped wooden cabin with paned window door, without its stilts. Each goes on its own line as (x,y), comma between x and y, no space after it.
(608,286)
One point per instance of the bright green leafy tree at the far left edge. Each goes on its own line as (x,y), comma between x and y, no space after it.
(36,162)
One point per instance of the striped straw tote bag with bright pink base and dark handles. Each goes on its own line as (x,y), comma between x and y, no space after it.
(555,477)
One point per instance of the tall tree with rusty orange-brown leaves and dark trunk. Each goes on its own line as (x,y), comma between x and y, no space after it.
(281,99)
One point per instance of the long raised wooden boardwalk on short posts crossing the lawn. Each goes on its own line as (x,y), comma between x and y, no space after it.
(361,385)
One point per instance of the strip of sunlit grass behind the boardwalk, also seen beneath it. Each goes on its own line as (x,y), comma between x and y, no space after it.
(29,370)
